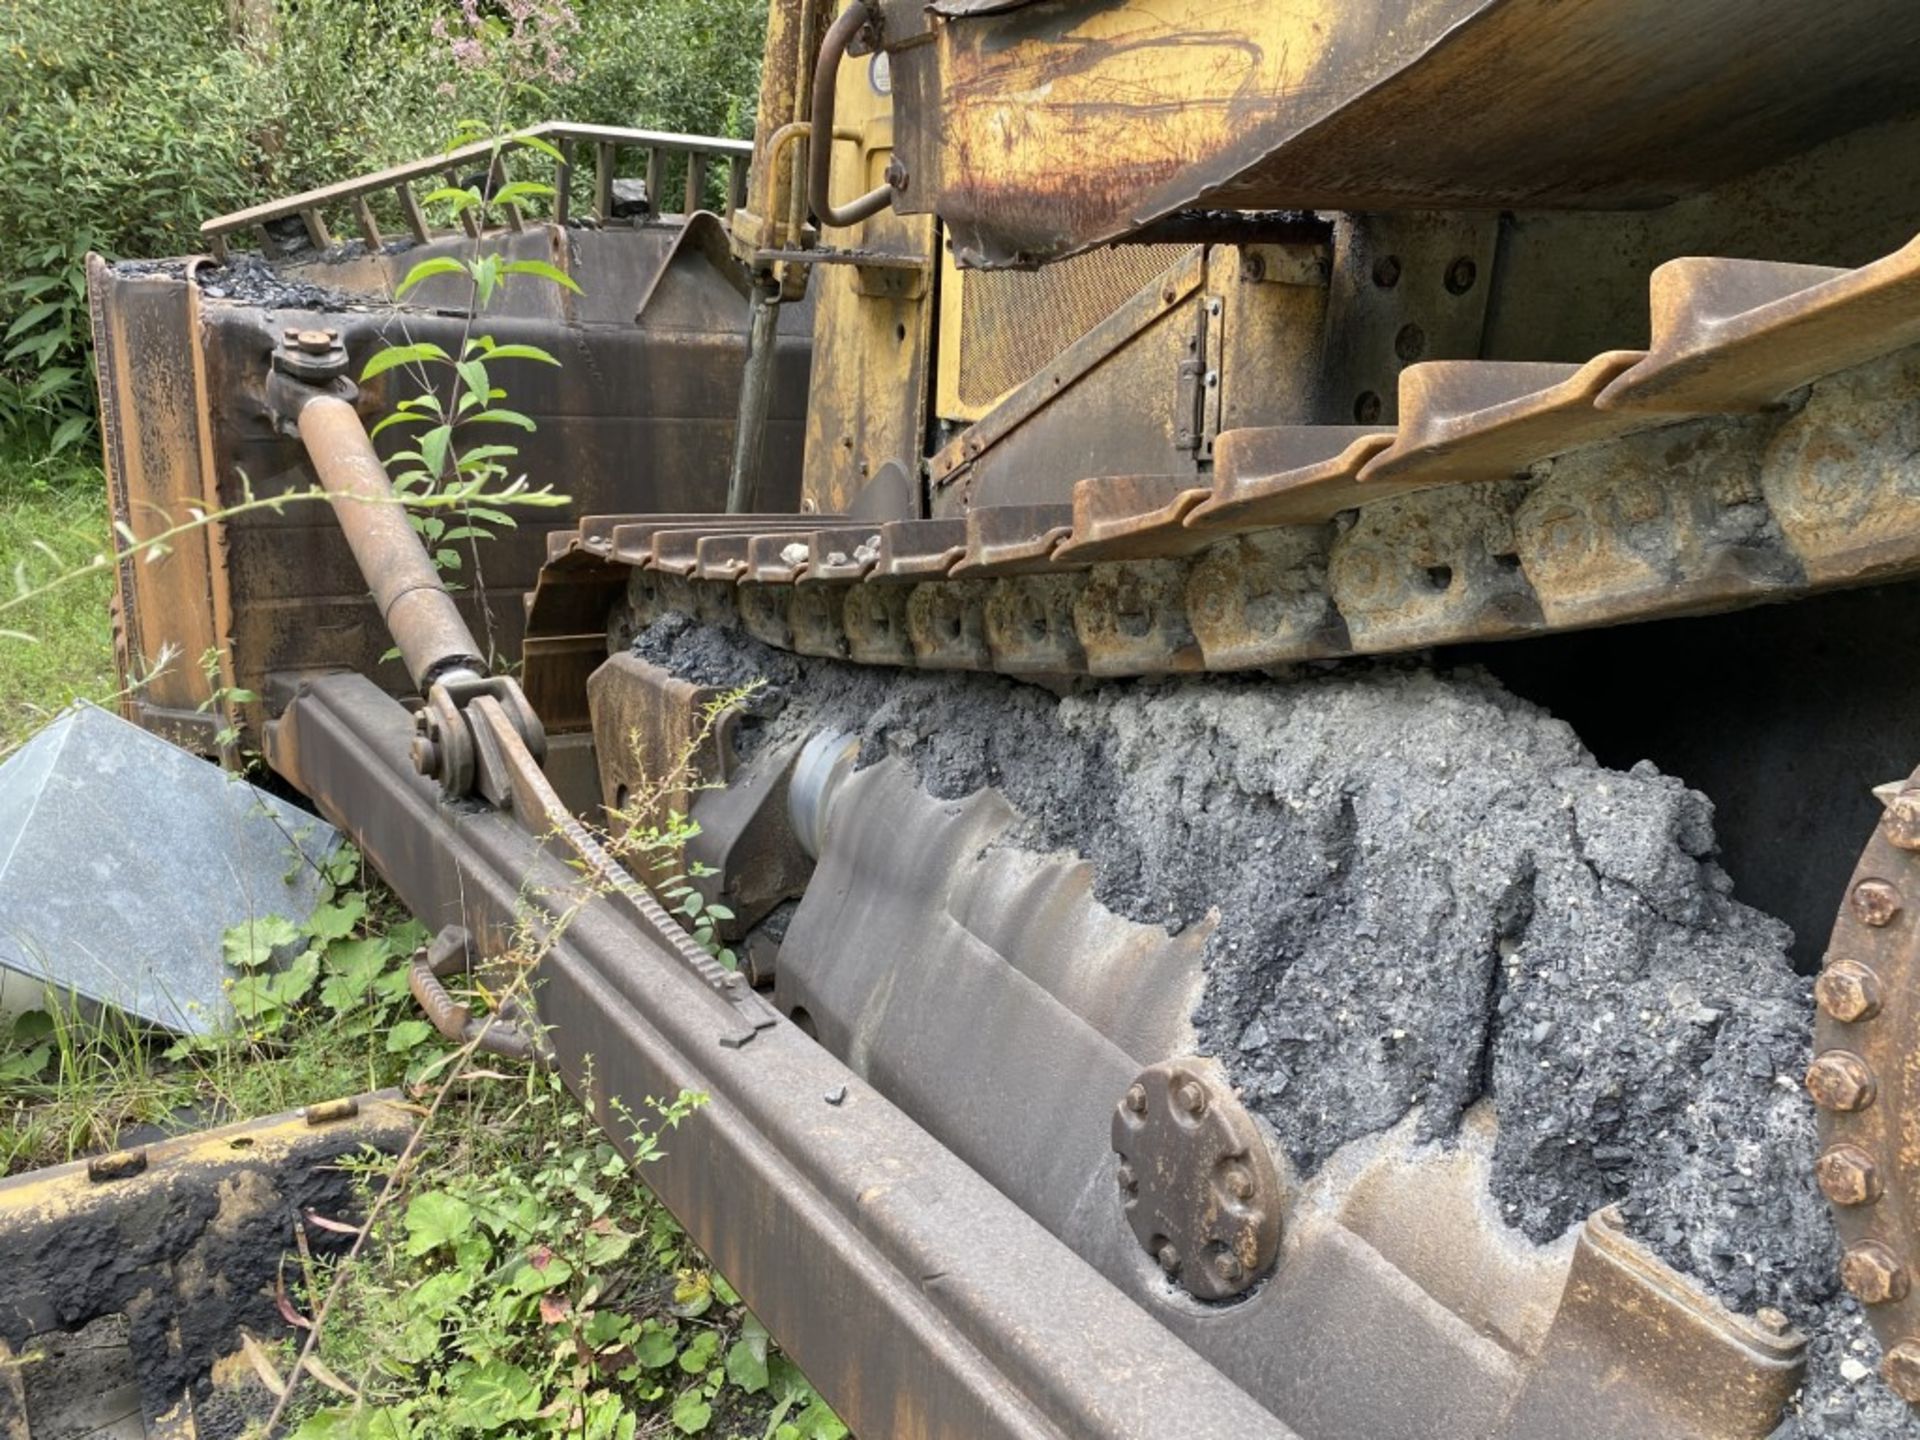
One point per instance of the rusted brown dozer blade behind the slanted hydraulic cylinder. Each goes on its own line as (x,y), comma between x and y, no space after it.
(638,418)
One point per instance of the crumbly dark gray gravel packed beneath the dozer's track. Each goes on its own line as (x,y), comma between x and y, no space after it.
(1428,894)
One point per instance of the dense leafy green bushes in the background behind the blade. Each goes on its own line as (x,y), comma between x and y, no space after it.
(126,124)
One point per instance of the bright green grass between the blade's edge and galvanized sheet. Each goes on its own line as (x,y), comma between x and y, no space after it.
(60,648)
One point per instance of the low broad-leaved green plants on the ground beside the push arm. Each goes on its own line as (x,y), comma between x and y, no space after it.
(540,1291)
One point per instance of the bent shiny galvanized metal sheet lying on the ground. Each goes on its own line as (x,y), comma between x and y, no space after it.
(124,861)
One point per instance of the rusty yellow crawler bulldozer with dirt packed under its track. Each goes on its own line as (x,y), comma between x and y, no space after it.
(1322,848)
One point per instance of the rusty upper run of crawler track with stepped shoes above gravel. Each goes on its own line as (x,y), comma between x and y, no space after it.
(1760,450)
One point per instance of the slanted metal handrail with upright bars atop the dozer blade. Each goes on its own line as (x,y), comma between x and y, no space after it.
(606,139)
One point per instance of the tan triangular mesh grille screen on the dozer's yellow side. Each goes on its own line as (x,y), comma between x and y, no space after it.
(1017,322)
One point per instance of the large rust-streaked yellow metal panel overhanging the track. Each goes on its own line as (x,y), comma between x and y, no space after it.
(1028,135)
